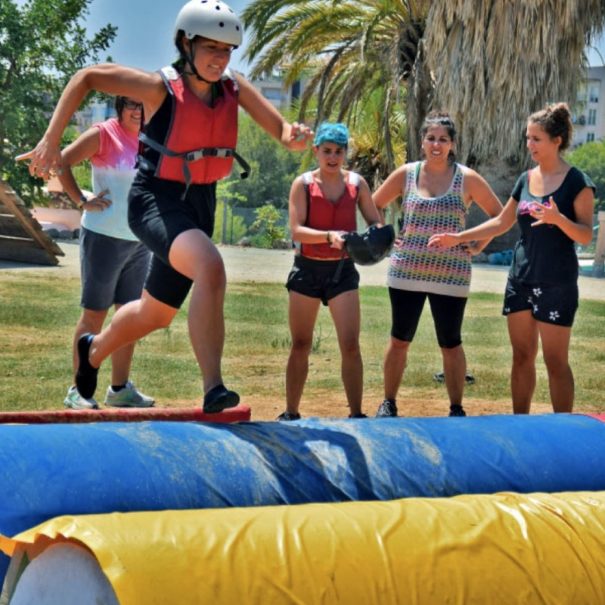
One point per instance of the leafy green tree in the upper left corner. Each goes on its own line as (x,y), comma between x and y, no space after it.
(43,42)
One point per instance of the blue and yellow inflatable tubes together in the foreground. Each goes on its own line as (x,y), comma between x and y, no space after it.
(453,519)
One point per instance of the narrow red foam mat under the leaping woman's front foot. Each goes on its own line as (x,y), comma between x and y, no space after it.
(241,413)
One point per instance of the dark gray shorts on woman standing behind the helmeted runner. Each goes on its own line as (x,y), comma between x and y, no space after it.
(112,270)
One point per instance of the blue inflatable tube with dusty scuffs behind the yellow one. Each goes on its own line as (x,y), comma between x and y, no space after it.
(51,470)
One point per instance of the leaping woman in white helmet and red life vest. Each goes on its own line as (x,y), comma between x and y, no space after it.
(189,136)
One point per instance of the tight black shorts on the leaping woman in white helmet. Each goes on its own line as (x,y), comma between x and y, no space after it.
(157,215)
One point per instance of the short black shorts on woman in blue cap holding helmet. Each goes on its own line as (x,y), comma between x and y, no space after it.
(323,279)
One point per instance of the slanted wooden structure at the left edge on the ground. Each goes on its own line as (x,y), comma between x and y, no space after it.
(21,236)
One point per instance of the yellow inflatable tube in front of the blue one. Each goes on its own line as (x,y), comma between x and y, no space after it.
(498,549)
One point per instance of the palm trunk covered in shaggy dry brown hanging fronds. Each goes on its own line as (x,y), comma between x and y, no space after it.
(493,63)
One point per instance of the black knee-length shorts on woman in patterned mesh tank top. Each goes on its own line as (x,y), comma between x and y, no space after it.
(447,311)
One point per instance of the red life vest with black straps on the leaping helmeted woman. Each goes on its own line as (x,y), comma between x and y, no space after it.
(200,142)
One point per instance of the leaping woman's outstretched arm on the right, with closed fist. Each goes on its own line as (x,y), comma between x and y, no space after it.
(292,136)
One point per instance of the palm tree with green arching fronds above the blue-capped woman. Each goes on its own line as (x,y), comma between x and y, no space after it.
(354,55)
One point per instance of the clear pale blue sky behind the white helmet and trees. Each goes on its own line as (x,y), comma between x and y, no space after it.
(145,31)
